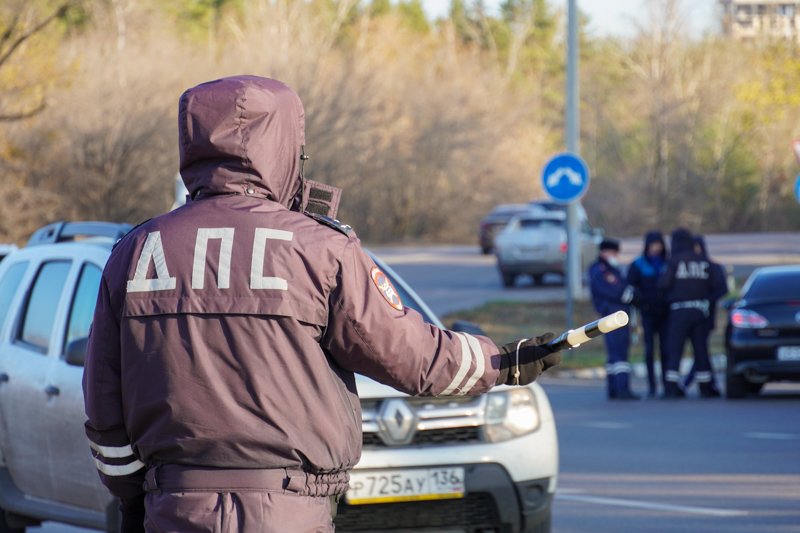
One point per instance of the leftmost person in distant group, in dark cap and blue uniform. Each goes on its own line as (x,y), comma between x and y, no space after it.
(610,294)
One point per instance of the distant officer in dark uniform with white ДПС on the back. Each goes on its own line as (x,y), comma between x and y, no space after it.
(688,283)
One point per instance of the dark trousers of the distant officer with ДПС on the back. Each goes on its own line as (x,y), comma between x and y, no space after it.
(691,324)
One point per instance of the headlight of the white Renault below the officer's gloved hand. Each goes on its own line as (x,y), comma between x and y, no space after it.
(511,414)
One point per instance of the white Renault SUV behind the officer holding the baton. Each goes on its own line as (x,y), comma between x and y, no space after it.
(486,463)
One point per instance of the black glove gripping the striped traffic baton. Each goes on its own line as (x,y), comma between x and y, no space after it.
(534,358)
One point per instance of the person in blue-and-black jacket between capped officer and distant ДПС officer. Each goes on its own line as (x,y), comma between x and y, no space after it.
(643,276)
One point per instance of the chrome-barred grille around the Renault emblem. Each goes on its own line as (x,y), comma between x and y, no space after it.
(448,420)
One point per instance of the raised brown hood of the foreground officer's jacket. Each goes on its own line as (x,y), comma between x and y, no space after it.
(241,135)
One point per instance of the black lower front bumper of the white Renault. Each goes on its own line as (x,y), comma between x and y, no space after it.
(492,502)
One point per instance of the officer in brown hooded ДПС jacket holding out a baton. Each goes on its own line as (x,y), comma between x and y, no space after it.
(219,380)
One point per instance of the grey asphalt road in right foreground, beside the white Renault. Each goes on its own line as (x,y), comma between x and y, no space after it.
(676,466)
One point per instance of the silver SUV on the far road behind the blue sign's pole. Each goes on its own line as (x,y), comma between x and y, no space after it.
(535,243)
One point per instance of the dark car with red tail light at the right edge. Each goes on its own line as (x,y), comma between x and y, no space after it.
(762,338)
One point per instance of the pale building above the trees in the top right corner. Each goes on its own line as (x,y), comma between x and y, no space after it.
(761,19)
